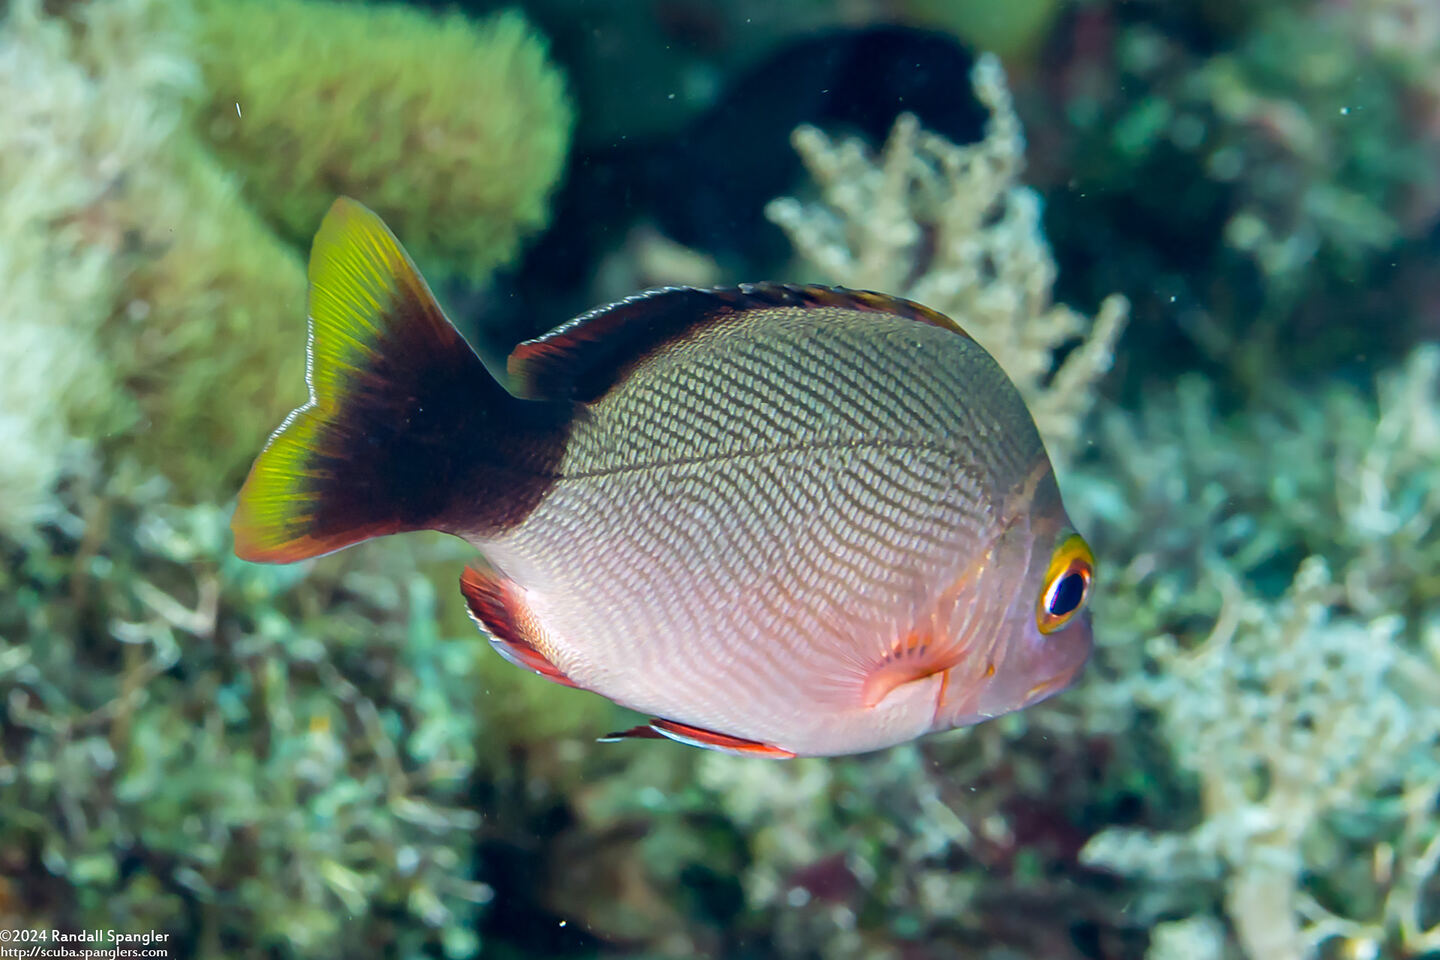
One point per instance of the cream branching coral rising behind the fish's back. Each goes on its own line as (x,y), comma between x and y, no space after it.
(951,228)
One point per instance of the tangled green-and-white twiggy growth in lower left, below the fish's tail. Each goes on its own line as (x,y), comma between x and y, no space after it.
(234,755)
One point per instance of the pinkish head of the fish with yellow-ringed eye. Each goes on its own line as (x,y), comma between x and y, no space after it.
(1032,631)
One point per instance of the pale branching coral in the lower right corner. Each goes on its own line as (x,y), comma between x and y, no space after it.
(1290,715)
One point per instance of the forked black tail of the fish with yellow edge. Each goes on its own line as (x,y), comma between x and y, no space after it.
(405,430)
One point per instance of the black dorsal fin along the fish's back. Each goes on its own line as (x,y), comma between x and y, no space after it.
(582,359)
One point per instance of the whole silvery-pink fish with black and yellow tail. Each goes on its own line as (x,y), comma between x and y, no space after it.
(784,520)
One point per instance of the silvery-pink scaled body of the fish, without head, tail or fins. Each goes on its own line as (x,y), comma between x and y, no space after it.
(757,515)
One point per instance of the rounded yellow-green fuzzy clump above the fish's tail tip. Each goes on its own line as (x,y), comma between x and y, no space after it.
(454,133)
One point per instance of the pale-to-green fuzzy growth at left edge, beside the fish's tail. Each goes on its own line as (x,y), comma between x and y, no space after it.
(153,310)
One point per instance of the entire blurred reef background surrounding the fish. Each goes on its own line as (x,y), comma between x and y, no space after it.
(1203,238)
